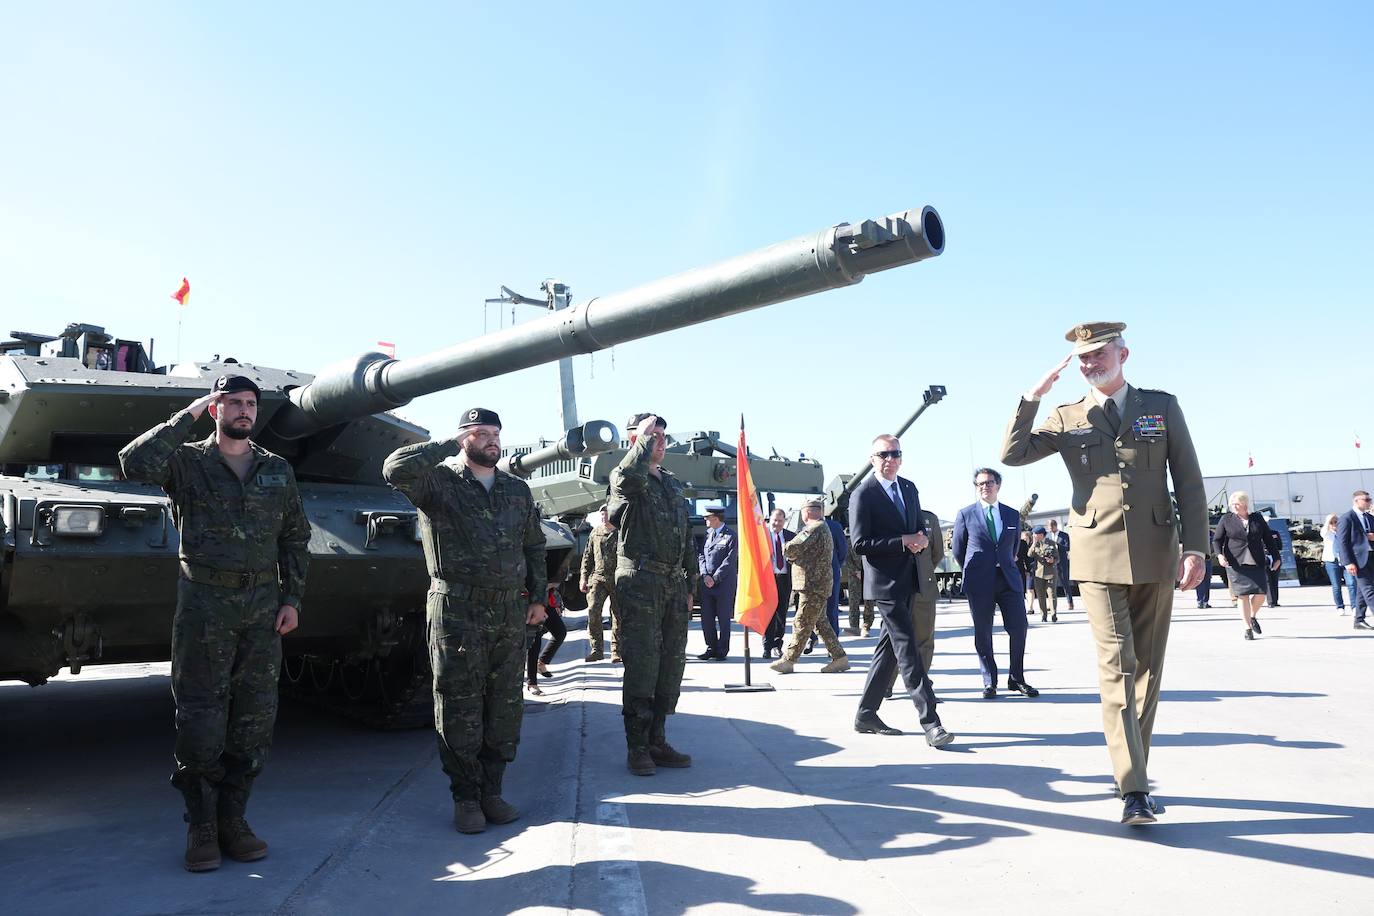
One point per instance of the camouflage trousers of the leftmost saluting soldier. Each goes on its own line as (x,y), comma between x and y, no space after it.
(226,663)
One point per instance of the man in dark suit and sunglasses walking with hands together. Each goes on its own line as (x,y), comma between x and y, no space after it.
(887,531)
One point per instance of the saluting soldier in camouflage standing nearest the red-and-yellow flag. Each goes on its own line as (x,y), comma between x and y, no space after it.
(656,549)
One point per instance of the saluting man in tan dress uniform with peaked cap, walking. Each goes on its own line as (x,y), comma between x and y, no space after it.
(1118,443)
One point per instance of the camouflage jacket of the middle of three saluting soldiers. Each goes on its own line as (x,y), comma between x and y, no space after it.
(473,538)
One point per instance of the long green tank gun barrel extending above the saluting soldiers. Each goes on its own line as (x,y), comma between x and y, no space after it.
(835,257)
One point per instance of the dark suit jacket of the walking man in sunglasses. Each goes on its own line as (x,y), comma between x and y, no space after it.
(876,529)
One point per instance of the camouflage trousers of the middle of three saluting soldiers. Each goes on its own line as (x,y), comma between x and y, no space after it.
(477,652)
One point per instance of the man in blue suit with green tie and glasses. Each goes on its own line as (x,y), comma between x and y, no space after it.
(986,546)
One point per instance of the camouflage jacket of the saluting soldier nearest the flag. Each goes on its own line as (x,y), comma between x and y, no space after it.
(651,514)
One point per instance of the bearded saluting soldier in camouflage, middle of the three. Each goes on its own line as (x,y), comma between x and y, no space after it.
(484,549)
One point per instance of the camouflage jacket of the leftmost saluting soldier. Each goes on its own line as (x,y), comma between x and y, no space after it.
(226,524)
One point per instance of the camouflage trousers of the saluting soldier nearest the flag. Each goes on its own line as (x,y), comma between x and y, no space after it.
(655,612)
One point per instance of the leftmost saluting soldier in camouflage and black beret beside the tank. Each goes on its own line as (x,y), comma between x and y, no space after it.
(245,549)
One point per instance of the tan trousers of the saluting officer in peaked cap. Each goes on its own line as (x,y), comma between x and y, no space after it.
(1131,630)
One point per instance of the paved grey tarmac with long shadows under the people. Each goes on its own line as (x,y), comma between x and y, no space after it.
(1263,756)
